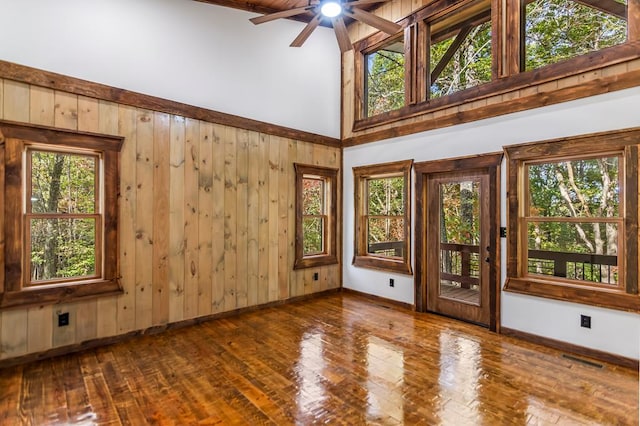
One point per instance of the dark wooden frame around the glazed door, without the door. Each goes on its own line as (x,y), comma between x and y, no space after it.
(486,163)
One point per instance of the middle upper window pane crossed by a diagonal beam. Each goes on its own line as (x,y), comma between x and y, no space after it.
(460,50)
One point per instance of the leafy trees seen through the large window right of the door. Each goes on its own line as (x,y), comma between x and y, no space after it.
(586,189)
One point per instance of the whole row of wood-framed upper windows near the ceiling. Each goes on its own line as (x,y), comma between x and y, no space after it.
(468,51)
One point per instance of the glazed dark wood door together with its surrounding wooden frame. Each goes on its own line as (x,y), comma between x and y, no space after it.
(457,247)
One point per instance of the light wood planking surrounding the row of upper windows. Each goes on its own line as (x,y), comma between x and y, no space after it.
(602,80)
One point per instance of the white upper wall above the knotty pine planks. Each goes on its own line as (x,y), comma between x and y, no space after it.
(186,51)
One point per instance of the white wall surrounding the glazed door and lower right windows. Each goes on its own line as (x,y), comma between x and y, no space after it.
(612,331)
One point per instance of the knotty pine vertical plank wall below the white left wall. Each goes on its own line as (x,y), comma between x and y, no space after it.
(206,219)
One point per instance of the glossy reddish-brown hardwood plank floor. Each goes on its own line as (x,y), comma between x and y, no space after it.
(338,359)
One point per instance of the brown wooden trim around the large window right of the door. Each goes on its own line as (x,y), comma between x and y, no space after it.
(626,141)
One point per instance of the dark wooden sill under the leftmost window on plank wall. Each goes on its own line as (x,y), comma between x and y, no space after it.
(37,296)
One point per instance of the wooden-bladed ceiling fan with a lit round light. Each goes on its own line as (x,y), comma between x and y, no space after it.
(334,10)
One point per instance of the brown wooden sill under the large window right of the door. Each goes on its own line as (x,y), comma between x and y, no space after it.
(612,299)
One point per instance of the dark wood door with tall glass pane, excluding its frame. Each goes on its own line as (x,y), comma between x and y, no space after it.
(457,228)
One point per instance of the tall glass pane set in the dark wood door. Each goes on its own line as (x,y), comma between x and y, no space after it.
(460,241)
